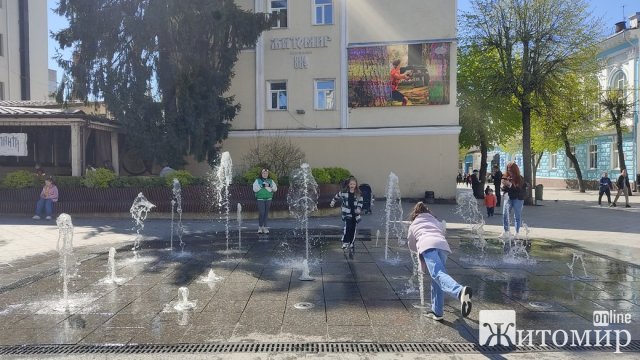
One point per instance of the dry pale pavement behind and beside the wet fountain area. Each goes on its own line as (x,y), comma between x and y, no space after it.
(566,216)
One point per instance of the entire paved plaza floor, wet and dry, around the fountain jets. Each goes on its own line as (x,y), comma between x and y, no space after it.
(358,297)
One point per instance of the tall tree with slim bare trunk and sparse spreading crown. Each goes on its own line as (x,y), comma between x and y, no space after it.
(534,40)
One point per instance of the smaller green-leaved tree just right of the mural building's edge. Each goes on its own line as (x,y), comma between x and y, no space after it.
(485,119)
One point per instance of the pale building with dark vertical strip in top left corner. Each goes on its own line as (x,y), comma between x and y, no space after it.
(23,50)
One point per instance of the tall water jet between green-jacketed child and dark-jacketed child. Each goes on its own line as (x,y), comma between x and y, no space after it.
(303,199)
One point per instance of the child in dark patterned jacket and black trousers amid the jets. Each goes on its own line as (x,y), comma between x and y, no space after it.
(351,208)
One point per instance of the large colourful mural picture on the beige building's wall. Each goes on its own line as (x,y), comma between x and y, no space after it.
(399,75)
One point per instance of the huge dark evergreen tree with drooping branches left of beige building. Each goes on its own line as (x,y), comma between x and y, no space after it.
(162,67)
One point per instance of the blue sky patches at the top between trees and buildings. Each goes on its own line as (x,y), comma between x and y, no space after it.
(610,10)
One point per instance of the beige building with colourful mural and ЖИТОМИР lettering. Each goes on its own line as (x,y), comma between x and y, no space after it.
(322,76)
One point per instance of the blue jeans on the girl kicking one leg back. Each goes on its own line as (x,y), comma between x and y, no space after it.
(441,282)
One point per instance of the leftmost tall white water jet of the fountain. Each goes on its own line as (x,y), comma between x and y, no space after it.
(65,249)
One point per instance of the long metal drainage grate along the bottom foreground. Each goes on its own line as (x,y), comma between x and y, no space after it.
(446,348)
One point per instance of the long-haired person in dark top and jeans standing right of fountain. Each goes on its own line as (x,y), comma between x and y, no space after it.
(515,189)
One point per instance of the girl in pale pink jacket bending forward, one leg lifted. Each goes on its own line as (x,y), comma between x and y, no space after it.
(426,237)
